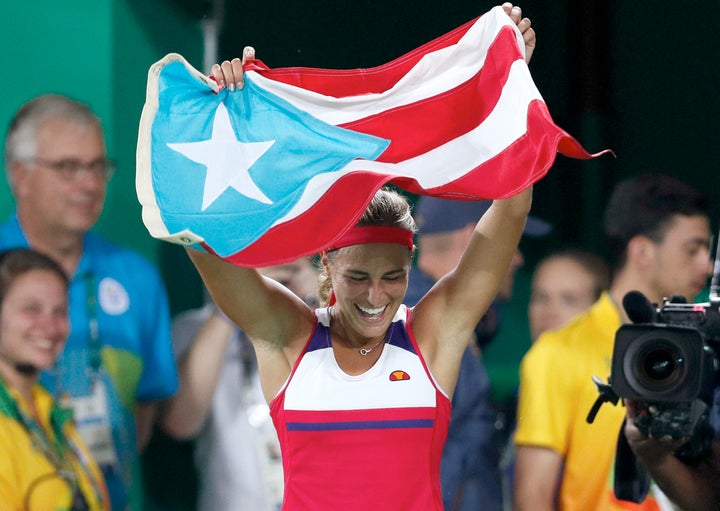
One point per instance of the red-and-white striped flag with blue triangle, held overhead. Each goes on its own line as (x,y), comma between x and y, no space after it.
(283,167)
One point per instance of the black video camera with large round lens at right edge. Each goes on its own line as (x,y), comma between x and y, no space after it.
(668,365)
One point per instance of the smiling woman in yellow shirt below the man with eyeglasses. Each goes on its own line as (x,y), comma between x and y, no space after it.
(44,465)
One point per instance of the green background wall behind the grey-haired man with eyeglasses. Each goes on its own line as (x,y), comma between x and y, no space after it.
(99,52)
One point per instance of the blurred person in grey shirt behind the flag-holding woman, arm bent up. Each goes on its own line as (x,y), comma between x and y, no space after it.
(221,404)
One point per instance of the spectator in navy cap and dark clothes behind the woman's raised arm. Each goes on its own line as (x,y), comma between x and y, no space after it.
(470,469)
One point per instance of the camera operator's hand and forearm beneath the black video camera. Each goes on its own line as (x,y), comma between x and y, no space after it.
(688,486)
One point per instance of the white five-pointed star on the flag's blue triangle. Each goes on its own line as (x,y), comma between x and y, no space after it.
(227,160)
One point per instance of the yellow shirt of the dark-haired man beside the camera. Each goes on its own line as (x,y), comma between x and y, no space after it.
(556,394)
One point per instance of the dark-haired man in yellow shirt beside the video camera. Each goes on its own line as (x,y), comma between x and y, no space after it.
(658,233)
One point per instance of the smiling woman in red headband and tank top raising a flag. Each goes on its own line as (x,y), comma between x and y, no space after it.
(360,389)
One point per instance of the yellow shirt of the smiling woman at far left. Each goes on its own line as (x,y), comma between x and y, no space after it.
(28,480)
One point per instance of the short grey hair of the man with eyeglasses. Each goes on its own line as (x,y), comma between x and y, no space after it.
(21,139)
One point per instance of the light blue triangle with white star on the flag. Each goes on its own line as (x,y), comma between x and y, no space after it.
(302,147)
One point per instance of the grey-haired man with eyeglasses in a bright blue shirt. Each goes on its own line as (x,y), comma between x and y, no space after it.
(118,362)
